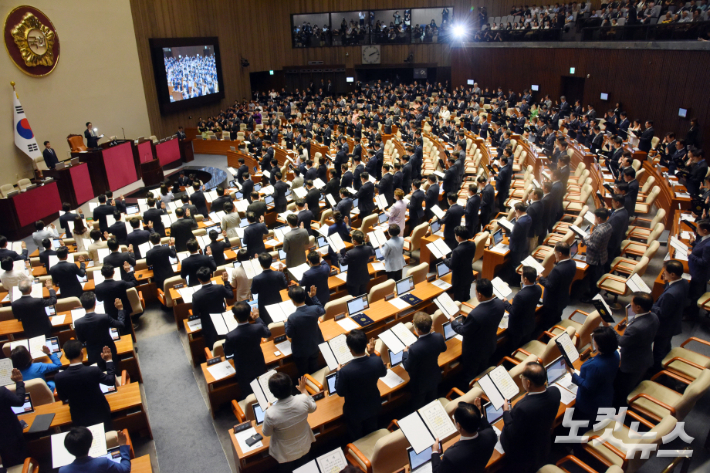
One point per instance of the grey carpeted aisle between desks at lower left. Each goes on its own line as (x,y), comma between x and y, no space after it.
(185,437)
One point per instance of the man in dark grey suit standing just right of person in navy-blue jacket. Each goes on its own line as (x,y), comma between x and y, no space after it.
(636,347)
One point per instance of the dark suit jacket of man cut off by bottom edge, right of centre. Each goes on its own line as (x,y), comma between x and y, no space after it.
(467,455)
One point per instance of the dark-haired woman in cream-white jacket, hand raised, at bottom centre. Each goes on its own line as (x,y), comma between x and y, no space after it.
(286,422)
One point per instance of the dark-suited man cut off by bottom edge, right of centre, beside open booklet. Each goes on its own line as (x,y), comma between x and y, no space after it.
(475,446)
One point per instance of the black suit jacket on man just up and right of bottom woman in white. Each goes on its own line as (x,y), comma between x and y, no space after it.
(356,382)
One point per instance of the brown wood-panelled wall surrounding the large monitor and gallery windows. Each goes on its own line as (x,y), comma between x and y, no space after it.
(260,30)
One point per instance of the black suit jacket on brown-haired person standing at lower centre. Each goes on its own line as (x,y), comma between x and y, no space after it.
(421,362)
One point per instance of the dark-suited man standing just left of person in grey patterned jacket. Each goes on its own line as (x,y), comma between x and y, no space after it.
(557,285)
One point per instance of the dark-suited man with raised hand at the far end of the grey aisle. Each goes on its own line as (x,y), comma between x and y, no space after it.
(210,299)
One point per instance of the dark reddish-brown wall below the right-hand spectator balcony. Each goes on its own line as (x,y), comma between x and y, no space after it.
(651,84)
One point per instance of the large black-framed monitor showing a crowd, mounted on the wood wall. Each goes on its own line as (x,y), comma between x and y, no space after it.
(188,72)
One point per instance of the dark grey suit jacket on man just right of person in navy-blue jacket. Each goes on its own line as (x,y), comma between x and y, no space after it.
(636,345)
